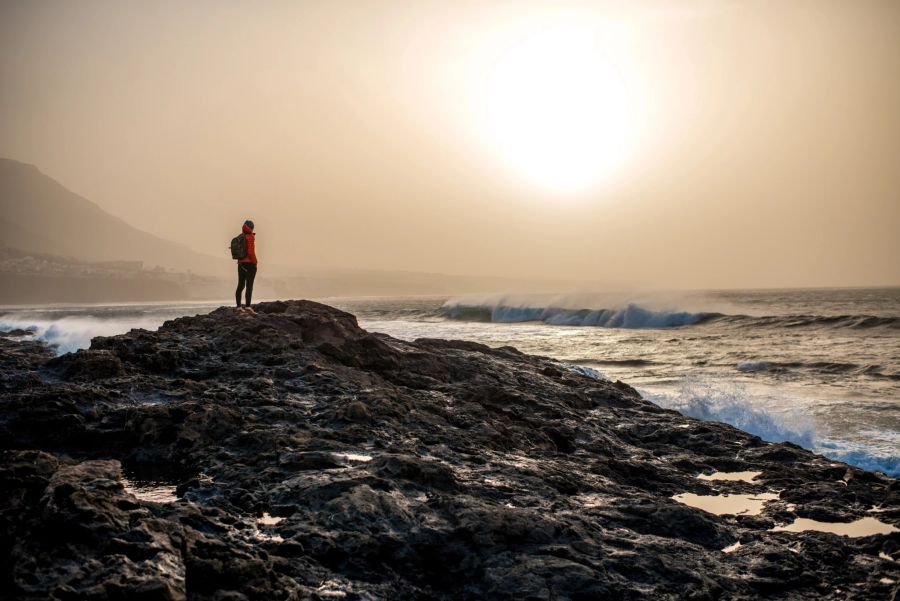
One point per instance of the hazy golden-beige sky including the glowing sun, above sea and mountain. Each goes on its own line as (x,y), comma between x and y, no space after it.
(690,144)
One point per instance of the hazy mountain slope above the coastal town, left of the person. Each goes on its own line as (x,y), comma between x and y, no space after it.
(38,214)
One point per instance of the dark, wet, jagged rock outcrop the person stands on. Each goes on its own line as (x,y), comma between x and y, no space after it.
(399,470)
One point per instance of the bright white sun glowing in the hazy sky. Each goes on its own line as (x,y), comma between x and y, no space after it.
(558,110)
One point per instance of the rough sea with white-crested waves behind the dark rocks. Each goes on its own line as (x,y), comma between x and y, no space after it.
(819,368)
